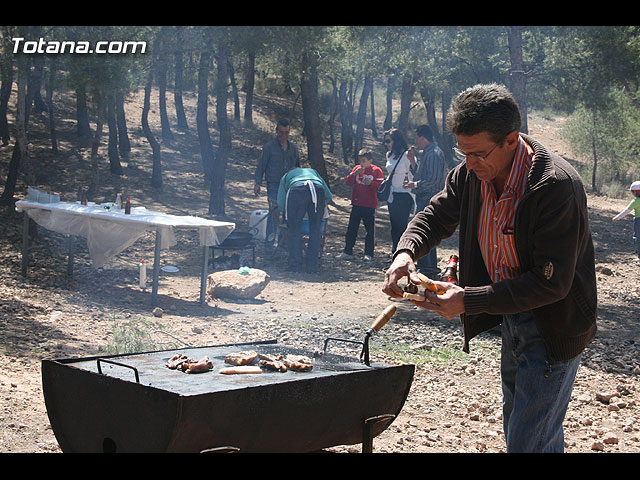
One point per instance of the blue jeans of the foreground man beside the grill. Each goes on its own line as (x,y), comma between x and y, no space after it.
(535,393)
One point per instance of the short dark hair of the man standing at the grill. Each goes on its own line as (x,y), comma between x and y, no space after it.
(484,108)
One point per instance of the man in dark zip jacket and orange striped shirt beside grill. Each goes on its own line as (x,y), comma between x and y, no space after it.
(526,261)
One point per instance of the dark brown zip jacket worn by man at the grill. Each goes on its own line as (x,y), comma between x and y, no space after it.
(553,240)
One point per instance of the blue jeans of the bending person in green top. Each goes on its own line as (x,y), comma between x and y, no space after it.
(299,204)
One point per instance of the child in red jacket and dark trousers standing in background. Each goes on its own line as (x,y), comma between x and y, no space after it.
(365,178)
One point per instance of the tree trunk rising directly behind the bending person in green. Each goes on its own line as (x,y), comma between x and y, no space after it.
(311,113)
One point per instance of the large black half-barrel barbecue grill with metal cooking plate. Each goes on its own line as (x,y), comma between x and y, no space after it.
(134,403)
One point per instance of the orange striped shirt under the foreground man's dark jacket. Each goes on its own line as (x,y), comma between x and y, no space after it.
(497,217)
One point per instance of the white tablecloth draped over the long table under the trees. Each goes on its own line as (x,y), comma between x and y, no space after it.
(109,232)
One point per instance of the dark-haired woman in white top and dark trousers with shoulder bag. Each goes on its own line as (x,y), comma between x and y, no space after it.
(401,201)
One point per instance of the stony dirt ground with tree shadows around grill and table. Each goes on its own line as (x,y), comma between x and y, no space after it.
(455,402)
